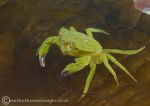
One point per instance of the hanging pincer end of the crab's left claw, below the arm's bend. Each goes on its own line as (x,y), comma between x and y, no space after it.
(42,52)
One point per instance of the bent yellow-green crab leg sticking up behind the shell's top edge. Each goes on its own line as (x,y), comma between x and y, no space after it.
(90,30)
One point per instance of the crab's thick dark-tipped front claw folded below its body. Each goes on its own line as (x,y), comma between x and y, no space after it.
(75,67)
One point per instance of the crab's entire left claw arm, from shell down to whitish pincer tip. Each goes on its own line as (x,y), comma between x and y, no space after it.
(43,49)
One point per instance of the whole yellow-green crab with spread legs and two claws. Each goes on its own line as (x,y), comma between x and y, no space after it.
(87,51)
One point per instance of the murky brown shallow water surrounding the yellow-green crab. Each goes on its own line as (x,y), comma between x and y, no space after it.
(24,24)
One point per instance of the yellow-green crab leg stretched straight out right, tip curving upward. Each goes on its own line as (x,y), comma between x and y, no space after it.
(127,52)
